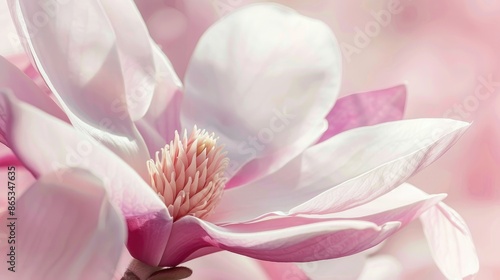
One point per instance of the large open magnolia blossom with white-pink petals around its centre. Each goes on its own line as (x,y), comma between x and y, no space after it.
(248,156)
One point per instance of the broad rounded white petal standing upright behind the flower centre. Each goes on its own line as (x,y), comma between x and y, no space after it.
(263,86)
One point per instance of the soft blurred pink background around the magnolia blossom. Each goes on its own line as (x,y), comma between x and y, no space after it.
(442,50)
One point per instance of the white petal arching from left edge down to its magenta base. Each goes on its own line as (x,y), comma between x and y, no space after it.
(57,145)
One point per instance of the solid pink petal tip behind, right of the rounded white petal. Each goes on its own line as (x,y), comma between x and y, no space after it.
(367,108)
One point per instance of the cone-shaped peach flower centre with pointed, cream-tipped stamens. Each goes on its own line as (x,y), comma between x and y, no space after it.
(189,176)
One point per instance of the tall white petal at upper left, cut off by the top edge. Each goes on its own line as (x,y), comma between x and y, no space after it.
(74,48)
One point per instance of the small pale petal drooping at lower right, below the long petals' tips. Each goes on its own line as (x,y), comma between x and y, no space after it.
(450,242)
